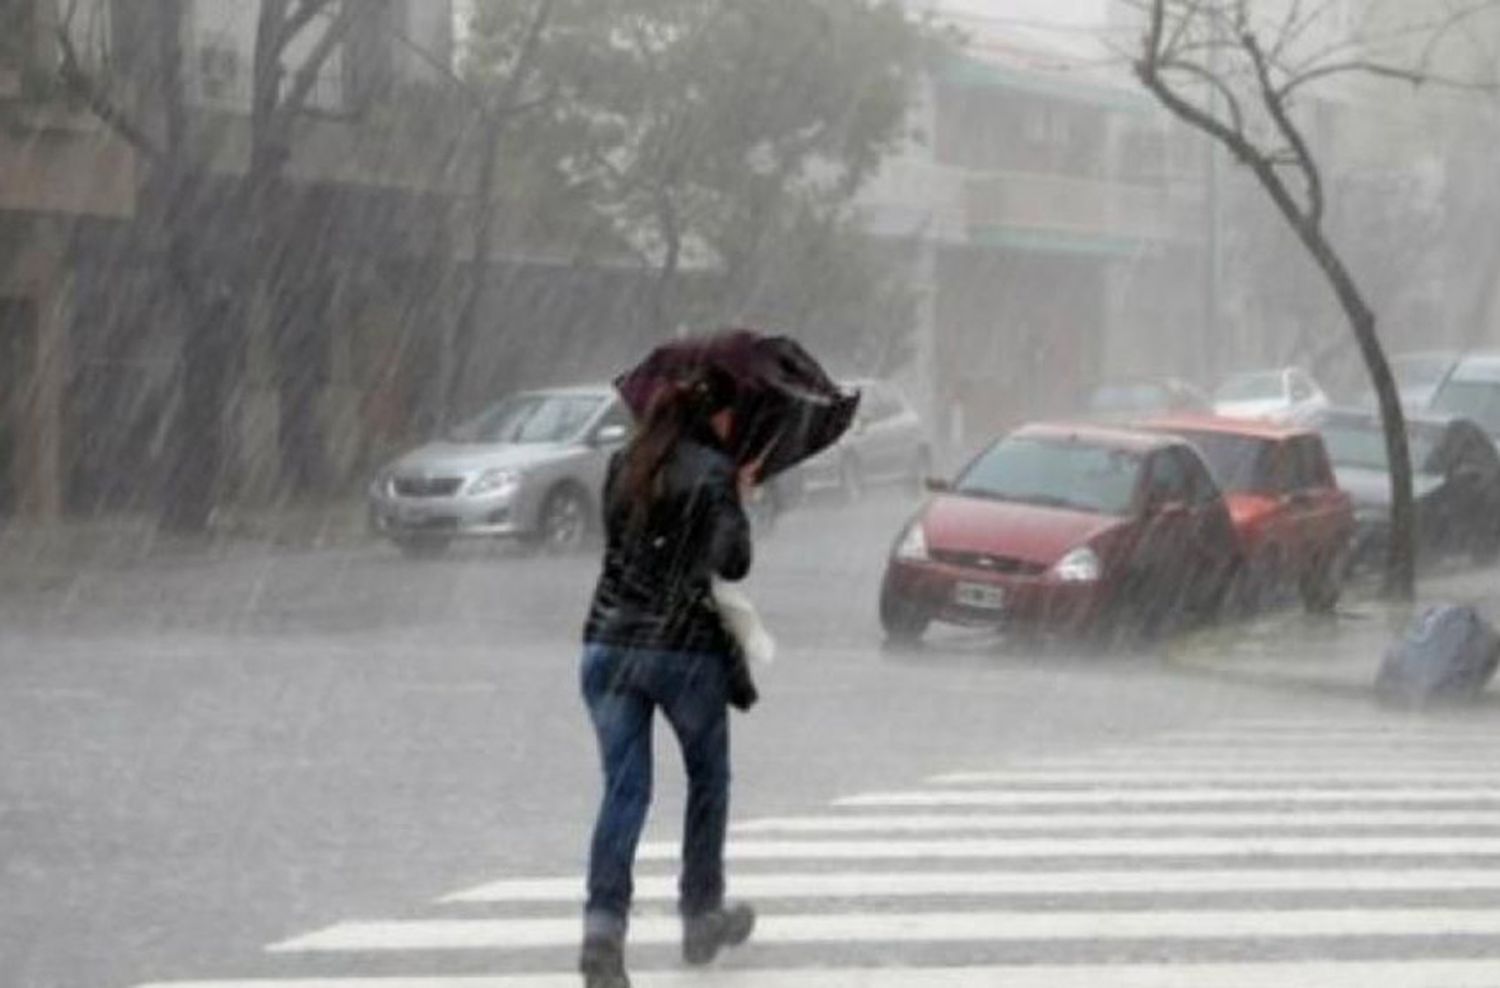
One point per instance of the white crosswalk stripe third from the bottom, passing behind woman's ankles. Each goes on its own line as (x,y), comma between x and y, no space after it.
(940,884)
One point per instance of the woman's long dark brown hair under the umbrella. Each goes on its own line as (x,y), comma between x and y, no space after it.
(680,410)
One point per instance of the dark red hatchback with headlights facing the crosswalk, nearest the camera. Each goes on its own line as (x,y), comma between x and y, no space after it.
(1082,530)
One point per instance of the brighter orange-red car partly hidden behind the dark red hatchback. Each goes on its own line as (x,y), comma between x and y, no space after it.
(1294,522)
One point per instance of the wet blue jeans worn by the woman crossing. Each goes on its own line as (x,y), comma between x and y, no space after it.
(623,687)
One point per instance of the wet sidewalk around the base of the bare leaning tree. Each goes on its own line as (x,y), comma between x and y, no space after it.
(1337,654)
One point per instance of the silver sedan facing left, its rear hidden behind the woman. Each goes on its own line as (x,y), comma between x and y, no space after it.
(530,469)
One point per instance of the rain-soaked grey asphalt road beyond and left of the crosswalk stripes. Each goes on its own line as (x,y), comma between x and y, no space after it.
(208,755)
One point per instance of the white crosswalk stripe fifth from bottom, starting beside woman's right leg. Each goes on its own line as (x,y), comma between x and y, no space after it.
(1046,822)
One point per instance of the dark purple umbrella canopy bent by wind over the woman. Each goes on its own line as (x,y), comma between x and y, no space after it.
(788,409)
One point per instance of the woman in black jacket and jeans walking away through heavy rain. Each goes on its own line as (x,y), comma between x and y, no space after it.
(674,519)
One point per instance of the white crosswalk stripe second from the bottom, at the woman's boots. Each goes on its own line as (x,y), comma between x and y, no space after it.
(926,927)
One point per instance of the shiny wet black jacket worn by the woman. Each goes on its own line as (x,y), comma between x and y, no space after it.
(655,588)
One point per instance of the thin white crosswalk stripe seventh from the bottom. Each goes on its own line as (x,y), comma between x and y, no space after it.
(1219,773)
